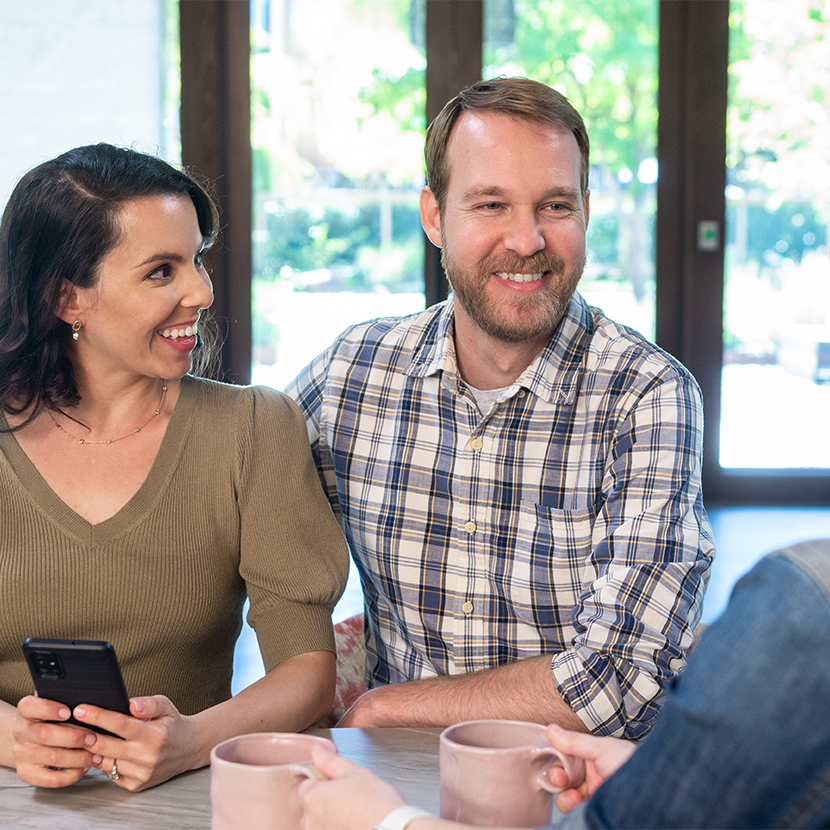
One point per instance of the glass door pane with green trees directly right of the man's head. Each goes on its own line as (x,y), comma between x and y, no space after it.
(603,57)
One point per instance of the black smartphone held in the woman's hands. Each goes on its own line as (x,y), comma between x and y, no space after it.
(77,671)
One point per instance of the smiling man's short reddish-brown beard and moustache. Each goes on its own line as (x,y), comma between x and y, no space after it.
(534,316)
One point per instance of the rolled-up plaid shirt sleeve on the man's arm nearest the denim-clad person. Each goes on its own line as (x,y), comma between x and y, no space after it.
(645,579)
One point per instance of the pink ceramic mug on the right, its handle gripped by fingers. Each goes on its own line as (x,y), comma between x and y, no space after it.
(494,773)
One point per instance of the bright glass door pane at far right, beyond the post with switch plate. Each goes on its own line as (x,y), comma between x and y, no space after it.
(775,385)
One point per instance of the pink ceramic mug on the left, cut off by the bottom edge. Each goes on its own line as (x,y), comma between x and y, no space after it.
(254,780)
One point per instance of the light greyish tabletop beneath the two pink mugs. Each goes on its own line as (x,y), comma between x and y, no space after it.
(406,758)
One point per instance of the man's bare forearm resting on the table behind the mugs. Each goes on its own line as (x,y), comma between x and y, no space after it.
(523,690)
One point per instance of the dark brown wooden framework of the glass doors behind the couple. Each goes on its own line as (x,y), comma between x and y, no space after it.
(693,67)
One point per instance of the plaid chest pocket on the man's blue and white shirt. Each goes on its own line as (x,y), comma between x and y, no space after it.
(546,570)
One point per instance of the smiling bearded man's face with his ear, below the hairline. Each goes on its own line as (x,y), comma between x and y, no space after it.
(512,230)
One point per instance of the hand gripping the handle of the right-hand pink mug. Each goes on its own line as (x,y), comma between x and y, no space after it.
(602,756)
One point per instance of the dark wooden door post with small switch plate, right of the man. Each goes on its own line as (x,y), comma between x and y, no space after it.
(691,151)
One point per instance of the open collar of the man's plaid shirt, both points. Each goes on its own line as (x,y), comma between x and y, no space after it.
(554,373)
